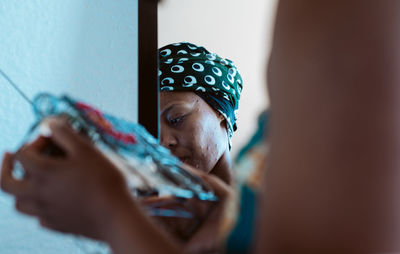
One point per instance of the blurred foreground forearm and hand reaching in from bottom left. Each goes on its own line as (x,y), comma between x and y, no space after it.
(82,193)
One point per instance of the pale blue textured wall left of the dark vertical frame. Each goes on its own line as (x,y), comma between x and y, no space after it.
(86,48)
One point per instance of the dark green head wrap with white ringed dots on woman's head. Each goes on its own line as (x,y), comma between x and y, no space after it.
(187,67)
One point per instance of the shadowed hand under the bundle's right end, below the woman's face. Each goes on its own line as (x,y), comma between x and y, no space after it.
(199,232)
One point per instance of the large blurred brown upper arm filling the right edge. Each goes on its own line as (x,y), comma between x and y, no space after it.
(333,178)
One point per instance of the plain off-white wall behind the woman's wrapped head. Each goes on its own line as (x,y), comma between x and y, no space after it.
(235,29)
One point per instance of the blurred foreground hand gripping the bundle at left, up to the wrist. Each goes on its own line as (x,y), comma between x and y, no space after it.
(76,193)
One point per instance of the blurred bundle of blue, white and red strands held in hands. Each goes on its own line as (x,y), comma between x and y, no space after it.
(149,168)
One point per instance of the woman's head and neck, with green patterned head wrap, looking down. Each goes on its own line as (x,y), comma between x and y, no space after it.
(199,97)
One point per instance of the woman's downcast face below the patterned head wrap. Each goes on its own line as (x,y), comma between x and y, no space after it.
(192,130)
